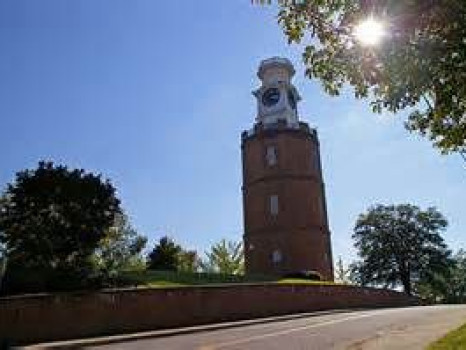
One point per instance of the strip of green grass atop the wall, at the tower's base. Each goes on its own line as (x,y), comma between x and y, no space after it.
(166,279)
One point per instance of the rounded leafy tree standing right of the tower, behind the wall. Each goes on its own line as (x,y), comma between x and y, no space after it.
(400,245)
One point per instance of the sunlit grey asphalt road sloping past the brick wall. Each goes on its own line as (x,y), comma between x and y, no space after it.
(402,328)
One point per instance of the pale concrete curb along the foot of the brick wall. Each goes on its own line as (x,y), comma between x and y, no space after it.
(79,343)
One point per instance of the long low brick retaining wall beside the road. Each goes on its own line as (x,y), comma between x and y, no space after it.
(26,319)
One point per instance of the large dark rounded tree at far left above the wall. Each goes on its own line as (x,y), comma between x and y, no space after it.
(53,220)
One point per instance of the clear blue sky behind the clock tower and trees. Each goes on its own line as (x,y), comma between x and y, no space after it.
(154,95)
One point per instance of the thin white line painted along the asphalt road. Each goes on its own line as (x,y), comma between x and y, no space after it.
(287,331)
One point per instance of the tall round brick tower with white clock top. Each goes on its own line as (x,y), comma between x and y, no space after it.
(285,218)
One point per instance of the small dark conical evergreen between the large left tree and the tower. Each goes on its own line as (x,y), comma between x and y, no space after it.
(164,256)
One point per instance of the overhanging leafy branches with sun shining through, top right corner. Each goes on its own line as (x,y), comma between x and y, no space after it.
(420,65)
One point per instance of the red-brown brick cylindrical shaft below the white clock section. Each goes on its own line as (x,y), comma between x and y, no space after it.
(299,231)
